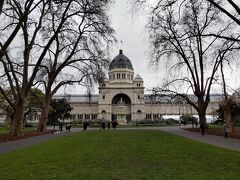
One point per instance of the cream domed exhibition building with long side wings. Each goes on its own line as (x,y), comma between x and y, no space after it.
(121,97)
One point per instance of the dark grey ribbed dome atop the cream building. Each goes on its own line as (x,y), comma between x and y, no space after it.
(120,61)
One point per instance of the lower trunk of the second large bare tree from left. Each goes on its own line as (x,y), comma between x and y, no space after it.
(42,126)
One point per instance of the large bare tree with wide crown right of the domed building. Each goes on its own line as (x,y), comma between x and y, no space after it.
(178,35)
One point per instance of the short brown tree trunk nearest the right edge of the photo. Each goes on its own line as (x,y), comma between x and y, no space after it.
(228,116)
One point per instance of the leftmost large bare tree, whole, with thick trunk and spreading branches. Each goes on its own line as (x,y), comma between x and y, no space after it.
(33,45)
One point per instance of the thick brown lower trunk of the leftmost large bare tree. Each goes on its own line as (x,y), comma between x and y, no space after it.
(18,117)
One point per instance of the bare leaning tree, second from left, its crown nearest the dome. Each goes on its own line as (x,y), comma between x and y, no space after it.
(78,51)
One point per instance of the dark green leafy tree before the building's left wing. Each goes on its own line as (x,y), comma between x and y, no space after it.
(60,109)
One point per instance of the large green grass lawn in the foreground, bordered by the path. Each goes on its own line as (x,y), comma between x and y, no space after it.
(121,154)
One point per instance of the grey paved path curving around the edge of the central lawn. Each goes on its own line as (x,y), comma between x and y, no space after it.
(229,143)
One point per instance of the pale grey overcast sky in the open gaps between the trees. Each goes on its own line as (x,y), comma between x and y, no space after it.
(135,45)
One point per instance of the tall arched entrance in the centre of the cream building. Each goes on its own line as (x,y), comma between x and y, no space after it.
(121,108)
